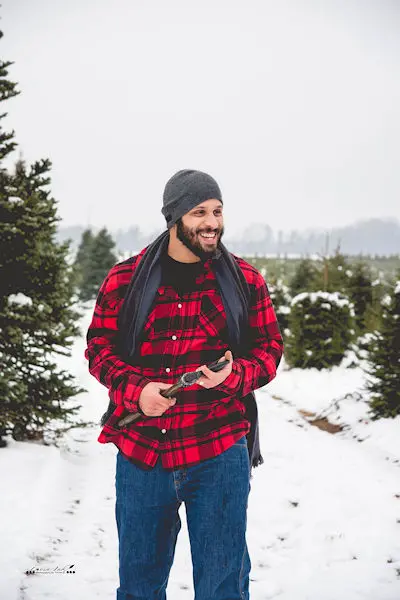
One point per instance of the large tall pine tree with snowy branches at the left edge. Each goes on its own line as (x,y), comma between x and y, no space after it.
(37,320)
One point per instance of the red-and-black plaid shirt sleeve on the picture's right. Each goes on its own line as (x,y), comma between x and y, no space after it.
(259,366)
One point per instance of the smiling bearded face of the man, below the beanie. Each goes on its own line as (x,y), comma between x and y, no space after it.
(202,228)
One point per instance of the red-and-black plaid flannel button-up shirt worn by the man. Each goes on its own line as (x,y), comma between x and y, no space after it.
(181,333)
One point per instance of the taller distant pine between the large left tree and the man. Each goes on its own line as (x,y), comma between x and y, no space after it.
(99,261)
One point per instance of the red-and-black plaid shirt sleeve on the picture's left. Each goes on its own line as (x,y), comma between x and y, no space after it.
(123,381)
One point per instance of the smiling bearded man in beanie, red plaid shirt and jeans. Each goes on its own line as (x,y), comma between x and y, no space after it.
(180,304)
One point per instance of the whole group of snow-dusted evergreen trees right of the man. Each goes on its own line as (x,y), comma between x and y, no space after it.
(328,308)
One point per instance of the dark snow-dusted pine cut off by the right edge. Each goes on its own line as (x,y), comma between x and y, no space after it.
(384,360)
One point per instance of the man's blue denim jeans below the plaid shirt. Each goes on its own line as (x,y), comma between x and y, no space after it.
(215,493)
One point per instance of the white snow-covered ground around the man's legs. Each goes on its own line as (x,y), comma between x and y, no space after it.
(324,509)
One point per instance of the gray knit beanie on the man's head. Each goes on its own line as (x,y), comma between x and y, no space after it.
(185,190)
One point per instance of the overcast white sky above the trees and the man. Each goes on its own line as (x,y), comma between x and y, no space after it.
(293,106)
